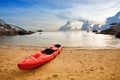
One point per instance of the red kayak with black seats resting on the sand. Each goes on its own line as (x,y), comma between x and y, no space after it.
(40,57)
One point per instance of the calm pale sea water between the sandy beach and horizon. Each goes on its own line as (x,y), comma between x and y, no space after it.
(80,39)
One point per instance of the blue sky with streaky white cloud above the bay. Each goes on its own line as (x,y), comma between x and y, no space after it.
(51,14)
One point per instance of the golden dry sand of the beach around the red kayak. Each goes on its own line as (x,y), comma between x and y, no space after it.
(71,64)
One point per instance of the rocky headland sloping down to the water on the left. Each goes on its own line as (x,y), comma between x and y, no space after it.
(9,30)
